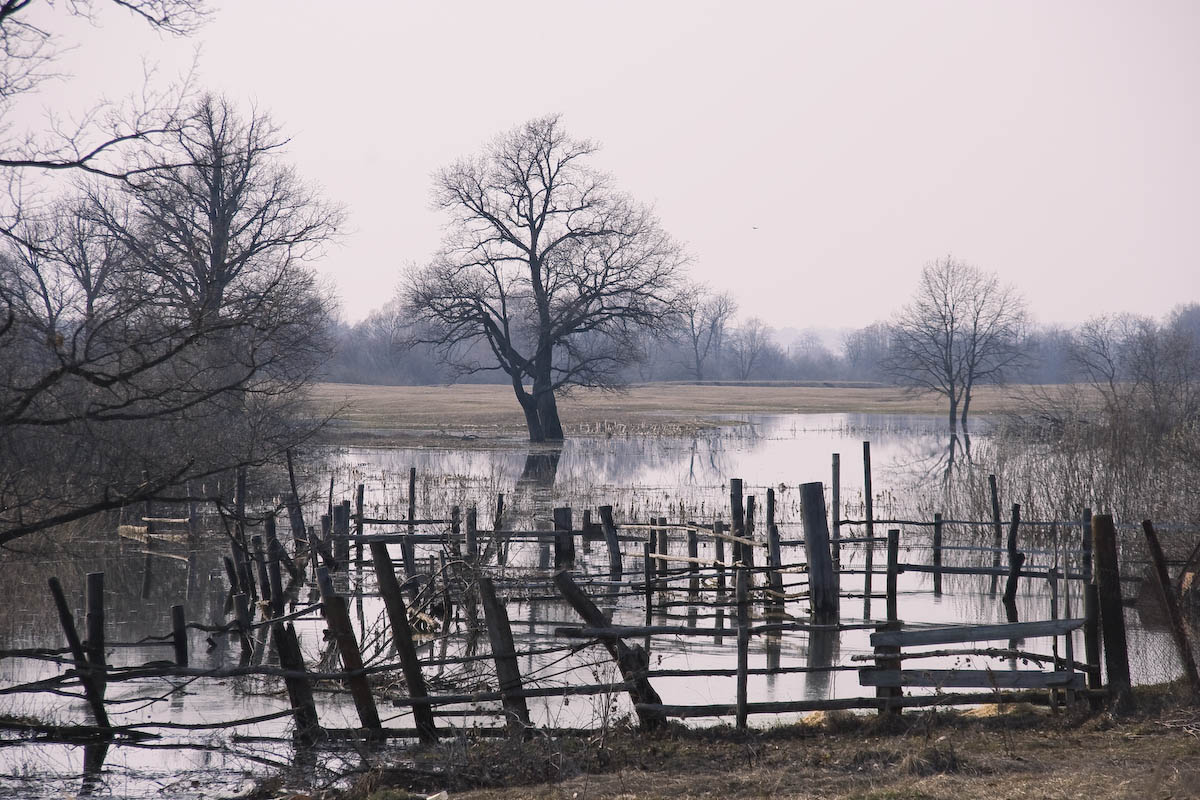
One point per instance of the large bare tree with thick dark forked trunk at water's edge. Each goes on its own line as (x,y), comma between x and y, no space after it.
(547,264)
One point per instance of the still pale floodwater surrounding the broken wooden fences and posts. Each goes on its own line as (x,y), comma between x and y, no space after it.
(640,477)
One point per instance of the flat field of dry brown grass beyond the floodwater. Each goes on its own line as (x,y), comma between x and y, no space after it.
(425,414)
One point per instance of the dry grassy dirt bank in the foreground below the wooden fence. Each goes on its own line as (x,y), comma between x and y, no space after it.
(920,757)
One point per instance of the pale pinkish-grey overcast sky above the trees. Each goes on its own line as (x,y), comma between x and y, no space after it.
(812,157)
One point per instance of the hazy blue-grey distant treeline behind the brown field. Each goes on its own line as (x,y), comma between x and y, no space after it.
(381,351)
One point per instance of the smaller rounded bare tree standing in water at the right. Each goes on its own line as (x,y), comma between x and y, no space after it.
(962,328)
